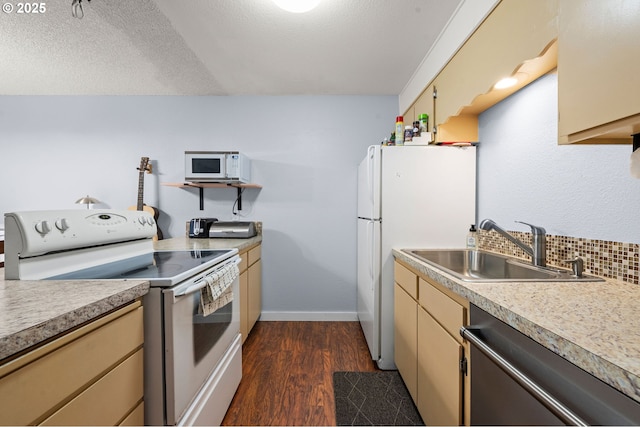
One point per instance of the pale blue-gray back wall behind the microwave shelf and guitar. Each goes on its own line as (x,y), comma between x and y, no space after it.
(305,152)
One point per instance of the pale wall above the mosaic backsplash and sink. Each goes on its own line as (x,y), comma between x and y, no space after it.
(578,191)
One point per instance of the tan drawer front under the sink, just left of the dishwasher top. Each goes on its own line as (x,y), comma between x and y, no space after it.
(446,311)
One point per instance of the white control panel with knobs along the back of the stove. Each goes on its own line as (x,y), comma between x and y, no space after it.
(33,233)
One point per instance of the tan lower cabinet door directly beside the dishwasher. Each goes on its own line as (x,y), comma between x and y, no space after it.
(439,376)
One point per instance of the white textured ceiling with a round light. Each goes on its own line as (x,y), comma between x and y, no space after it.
(218,47)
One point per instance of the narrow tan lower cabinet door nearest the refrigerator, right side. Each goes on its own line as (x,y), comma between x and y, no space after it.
(406,338)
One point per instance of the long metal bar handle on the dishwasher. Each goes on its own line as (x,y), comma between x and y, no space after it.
(560,410)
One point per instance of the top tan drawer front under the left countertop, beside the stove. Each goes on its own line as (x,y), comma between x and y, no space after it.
(37,388)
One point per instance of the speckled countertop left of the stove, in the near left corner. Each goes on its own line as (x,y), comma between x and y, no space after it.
(32,311)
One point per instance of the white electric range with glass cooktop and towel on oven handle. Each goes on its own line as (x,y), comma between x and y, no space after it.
(192,355)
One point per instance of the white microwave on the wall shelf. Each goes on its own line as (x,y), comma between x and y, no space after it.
(216,166)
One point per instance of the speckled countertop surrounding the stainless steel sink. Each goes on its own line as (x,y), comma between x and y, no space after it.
(594,325)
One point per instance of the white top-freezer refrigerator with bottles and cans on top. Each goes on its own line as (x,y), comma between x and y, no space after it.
(408,197)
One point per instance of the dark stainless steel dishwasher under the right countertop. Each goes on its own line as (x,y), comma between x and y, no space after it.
(516,381)
